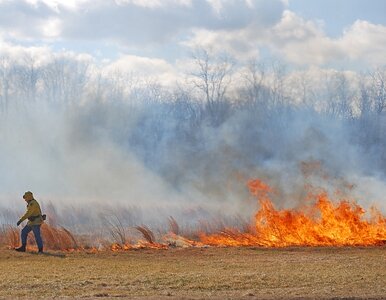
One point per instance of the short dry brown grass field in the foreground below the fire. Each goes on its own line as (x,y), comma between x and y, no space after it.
(197,273)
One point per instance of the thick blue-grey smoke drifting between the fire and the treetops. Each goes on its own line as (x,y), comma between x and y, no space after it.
(87,147)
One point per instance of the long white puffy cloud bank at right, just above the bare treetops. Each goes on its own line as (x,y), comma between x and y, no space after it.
(300,42)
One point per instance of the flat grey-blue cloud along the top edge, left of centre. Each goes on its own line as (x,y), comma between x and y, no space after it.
(131,24)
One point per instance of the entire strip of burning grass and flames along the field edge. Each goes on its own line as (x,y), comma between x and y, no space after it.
(322,222)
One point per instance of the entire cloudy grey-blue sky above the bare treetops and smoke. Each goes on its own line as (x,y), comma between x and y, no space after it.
(161,34)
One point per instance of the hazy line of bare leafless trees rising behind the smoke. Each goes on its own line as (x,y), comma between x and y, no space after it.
(218,91)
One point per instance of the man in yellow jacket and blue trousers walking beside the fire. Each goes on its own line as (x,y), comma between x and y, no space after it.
(35,220)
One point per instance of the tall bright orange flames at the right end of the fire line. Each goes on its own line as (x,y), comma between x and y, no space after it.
(324,224)
